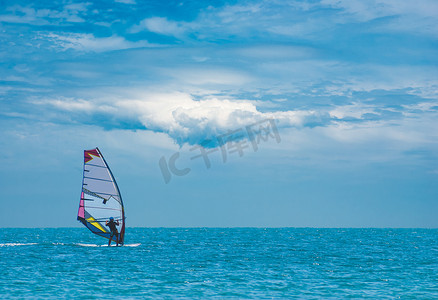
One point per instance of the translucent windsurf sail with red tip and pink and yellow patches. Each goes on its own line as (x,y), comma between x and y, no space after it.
(100,197)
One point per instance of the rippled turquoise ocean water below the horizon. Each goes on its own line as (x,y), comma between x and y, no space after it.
(222,263)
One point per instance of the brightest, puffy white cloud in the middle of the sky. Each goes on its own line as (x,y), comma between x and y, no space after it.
(185,119)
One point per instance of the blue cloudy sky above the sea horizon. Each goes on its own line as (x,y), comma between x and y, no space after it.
(222,113)
